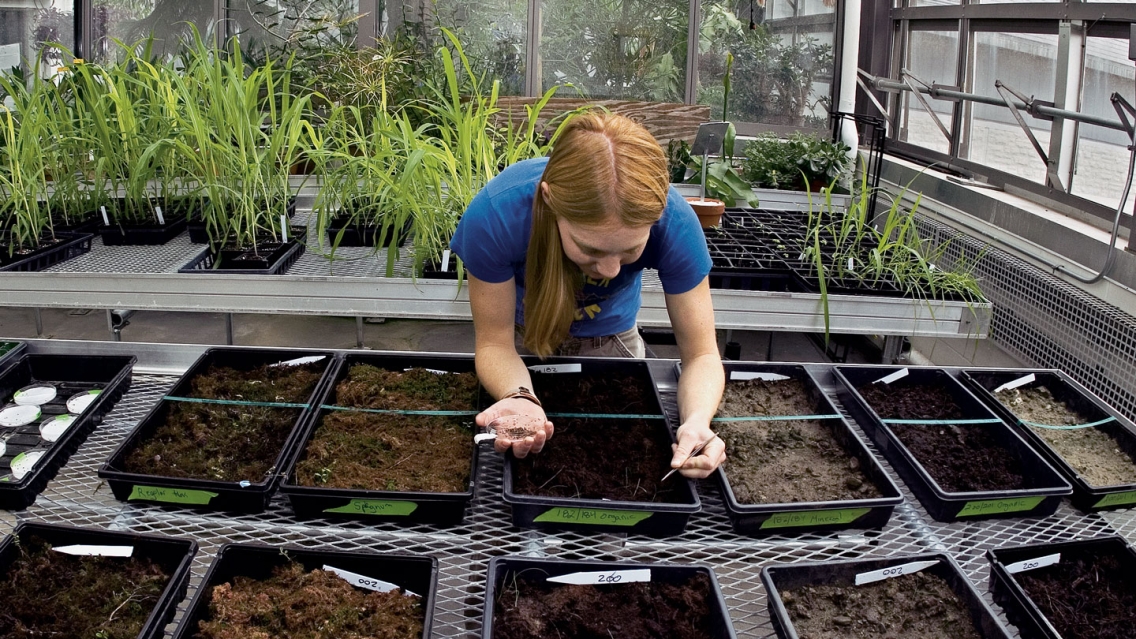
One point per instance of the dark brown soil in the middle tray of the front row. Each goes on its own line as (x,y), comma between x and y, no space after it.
(530,608)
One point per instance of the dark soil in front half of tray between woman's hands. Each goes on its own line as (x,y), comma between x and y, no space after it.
(620,460)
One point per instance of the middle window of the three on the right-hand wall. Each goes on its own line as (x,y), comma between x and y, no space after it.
(1028,63)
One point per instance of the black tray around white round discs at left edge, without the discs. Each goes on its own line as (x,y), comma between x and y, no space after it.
(111,376)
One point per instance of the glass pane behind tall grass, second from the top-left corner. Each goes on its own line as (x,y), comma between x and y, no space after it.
(131,21)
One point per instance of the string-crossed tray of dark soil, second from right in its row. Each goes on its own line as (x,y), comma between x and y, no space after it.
(956,457)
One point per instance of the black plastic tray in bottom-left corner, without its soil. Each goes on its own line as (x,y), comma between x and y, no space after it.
(174,555)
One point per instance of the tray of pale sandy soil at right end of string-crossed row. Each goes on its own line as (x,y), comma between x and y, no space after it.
(1091,444)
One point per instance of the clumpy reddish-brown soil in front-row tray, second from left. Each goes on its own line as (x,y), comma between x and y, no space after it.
(310,605)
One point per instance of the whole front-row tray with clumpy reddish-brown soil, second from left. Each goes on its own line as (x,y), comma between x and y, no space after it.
(269,592)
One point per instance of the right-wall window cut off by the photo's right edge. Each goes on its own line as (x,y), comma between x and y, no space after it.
(1102,154)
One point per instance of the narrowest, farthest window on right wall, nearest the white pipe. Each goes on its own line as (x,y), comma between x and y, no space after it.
(933,57)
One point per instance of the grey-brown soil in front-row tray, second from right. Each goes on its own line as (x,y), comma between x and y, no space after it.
(918,607)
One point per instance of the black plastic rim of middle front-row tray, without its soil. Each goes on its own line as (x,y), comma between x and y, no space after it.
(500,568)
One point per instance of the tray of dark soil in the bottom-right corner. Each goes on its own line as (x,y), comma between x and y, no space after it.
(1070,591)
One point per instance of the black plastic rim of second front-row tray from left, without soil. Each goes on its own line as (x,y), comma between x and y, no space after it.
(417,575)
